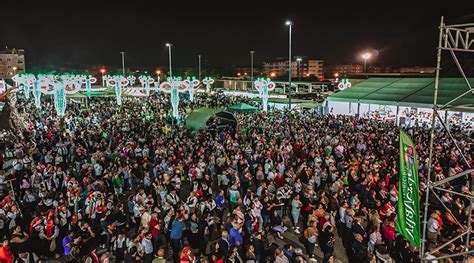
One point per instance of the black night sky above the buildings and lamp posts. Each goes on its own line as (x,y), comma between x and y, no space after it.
(80,33)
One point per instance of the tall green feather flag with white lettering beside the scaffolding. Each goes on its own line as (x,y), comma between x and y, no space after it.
(408,216)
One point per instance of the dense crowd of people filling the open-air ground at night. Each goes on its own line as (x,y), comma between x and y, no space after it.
(130,184)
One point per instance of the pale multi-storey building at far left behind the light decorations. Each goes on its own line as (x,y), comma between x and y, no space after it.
(12,61)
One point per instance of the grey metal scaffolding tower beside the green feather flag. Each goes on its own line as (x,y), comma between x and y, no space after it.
(453,39)
